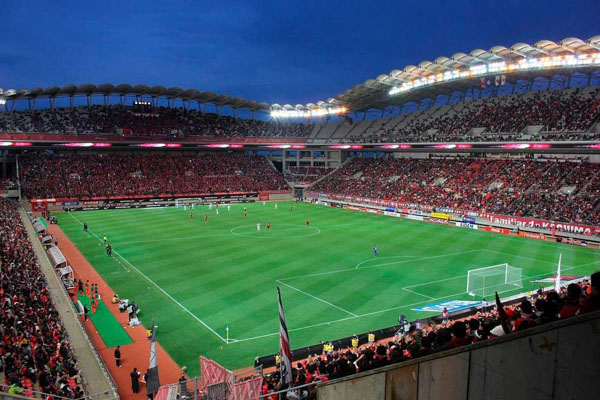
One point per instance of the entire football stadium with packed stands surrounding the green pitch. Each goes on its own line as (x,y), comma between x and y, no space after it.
(433,232)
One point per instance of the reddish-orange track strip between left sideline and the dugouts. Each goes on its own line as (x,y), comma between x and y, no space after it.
(133,355)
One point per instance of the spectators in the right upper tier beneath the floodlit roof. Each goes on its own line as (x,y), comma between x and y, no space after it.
(564,115)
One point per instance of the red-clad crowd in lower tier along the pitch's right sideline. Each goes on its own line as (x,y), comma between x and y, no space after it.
(551,189)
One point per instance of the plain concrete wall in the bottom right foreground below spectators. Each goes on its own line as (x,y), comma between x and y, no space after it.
(555,361)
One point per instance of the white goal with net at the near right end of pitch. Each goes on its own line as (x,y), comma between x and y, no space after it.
(499,278)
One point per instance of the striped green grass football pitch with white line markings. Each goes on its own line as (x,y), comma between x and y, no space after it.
(195,278)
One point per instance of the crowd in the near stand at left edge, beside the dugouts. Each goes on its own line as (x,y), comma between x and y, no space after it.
(35,352)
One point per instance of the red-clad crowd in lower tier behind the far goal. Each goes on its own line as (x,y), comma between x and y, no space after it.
(85,175)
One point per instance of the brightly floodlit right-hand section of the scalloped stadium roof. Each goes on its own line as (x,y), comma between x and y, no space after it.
(427,77)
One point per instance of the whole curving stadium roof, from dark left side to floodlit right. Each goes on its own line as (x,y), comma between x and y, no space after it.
(444,75)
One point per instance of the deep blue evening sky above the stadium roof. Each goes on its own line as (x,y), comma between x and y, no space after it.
(278,52)
